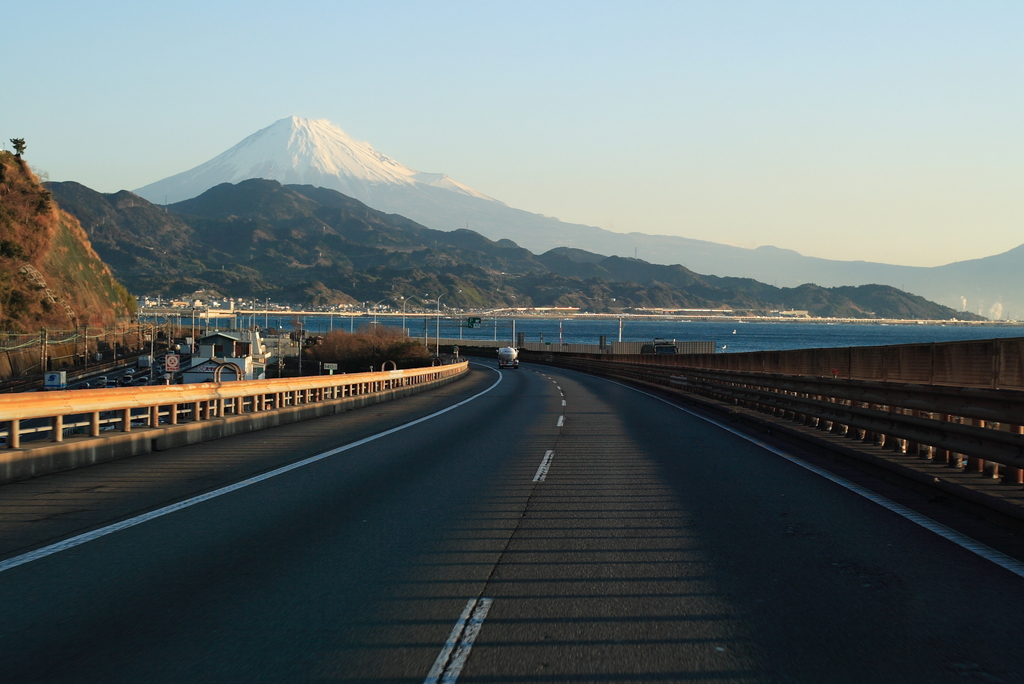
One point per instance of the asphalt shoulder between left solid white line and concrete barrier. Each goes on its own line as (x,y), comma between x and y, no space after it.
(37,511)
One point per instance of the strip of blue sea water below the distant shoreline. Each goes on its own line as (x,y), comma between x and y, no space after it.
(730,336)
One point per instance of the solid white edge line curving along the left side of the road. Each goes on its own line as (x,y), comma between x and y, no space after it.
(84,538)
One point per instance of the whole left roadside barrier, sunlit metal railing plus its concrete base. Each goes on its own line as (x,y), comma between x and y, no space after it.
(51,432)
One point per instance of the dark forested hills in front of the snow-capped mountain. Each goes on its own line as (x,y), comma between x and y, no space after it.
(314,245)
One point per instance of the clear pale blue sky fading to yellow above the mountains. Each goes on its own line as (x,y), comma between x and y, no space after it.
(881,132)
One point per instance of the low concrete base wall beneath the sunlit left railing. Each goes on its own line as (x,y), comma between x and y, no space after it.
(77,452)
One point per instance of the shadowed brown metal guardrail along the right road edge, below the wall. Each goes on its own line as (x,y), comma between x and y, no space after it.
(975,429)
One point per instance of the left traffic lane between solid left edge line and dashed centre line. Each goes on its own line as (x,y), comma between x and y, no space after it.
(355,565)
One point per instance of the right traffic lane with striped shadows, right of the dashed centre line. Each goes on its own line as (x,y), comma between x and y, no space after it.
(659,549)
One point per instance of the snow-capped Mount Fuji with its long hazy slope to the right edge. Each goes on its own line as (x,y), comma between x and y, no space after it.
(296,151)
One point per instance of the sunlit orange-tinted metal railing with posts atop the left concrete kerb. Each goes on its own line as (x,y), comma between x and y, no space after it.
(61,414)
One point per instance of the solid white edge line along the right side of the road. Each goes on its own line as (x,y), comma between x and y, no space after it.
(961,540)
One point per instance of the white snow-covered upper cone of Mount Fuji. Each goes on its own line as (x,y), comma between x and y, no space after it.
(307,152)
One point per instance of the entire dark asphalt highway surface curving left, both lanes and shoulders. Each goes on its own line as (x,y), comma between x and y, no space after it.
(534,526)
